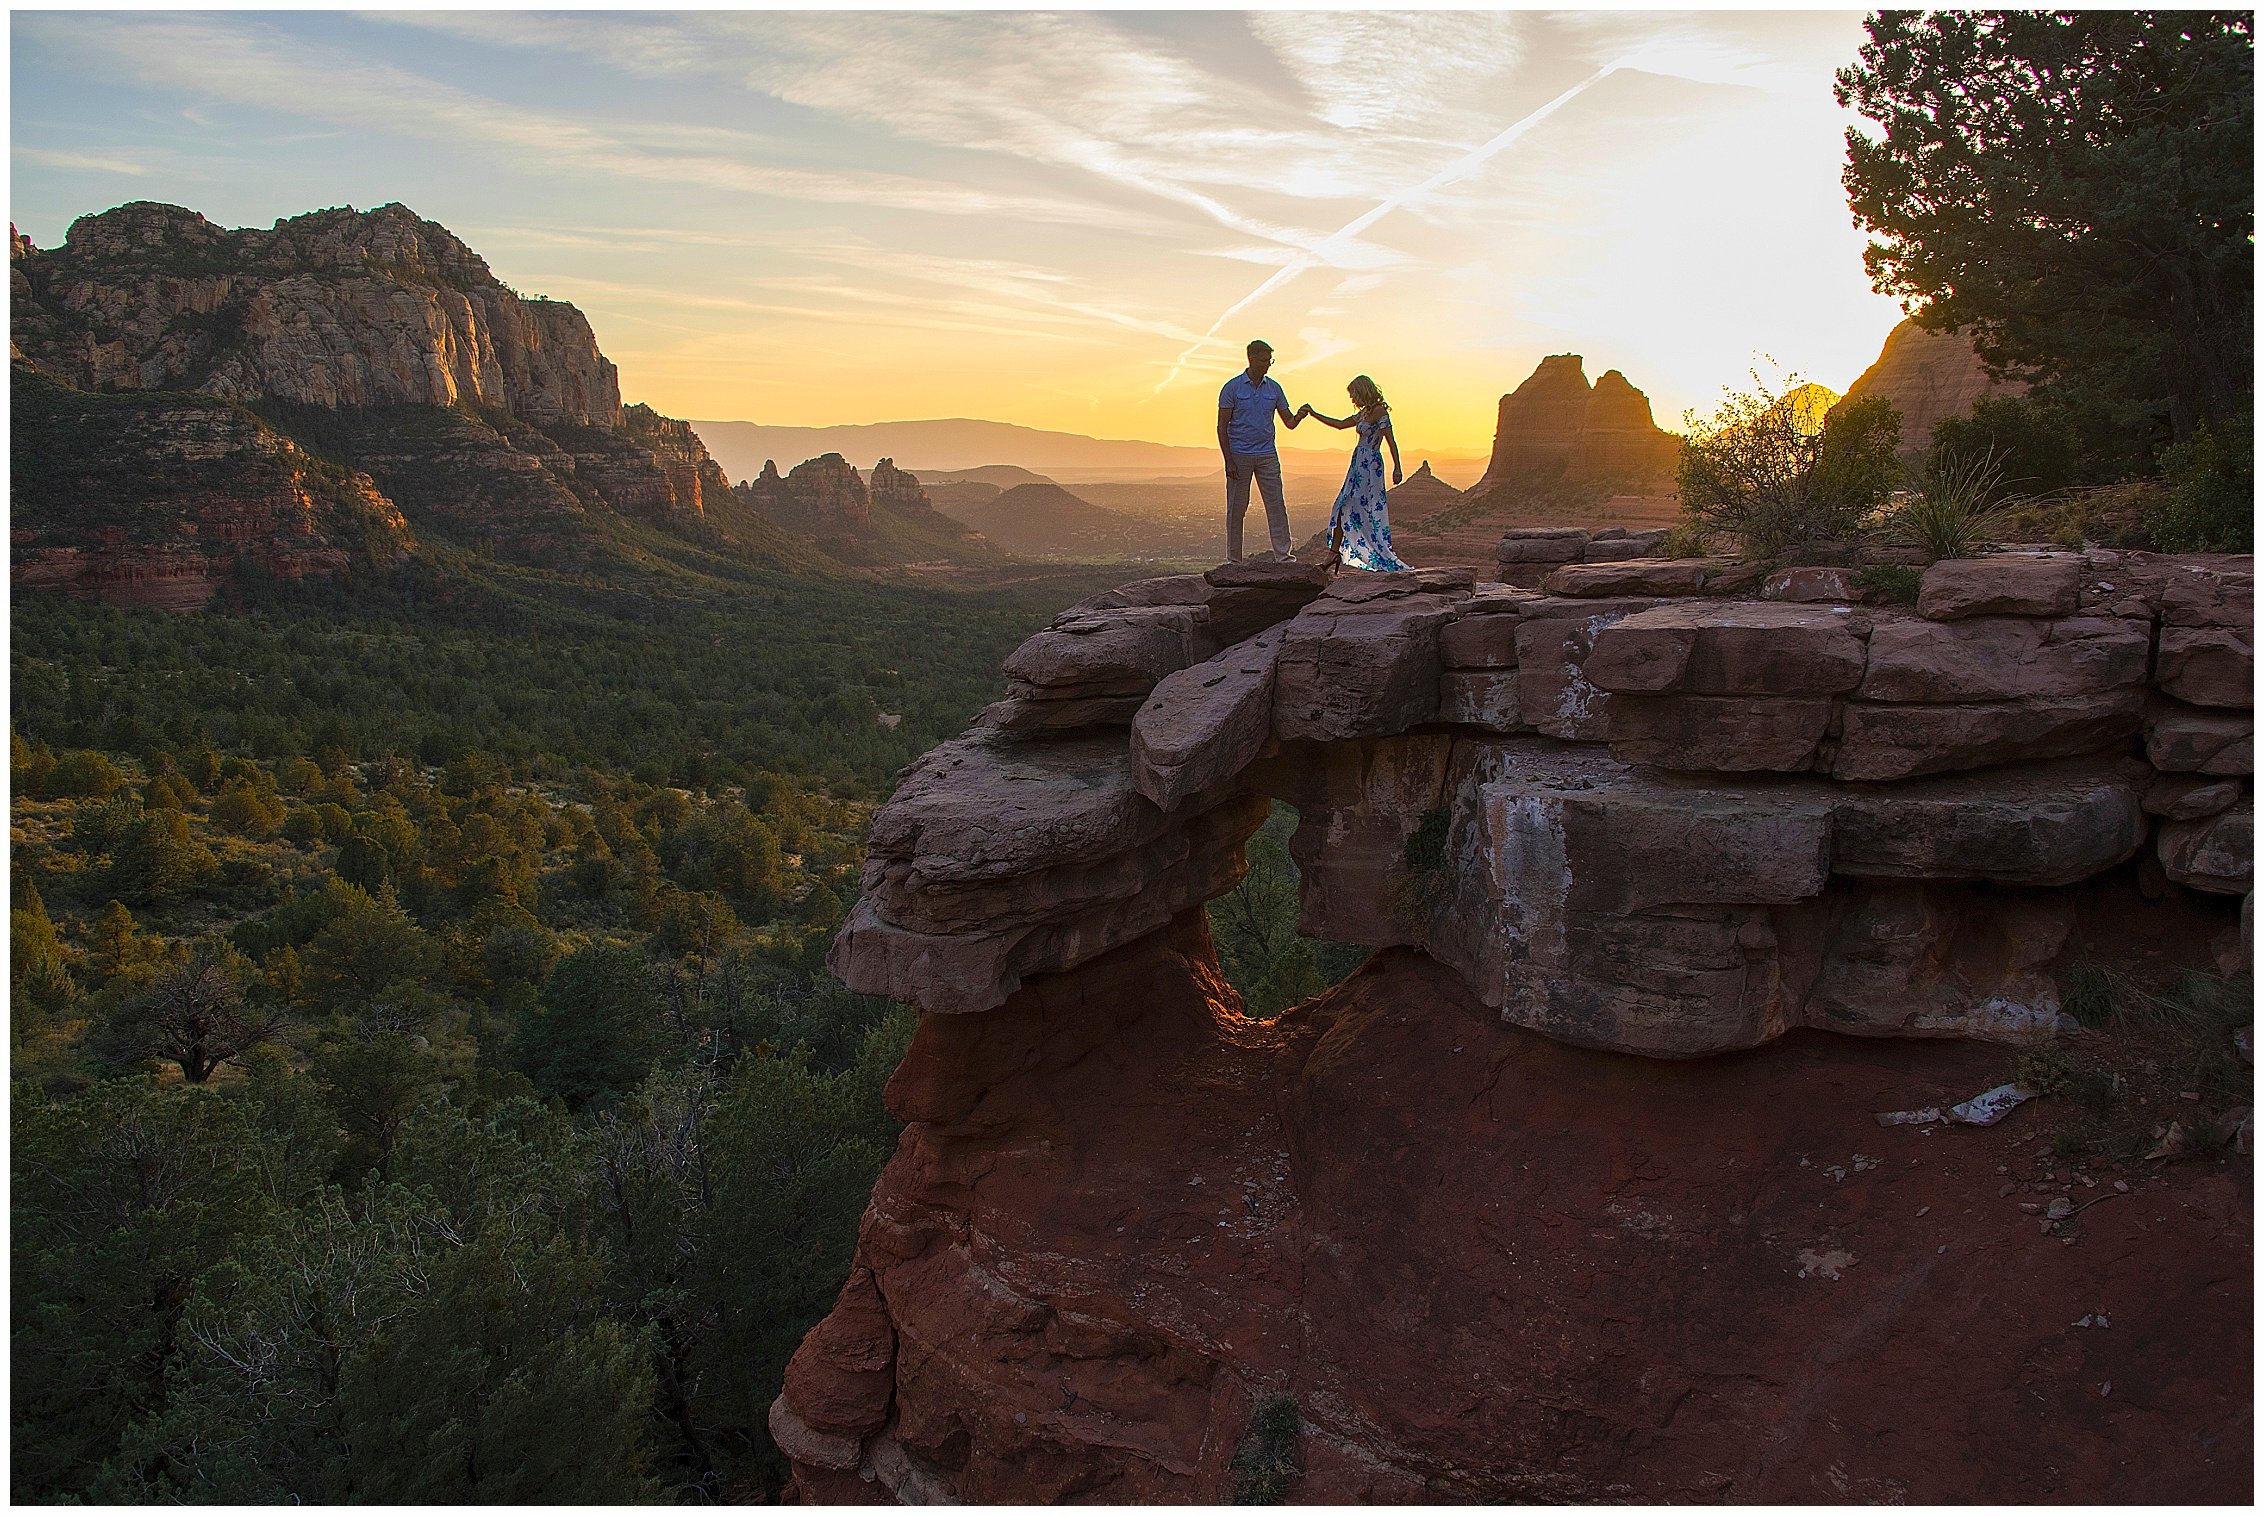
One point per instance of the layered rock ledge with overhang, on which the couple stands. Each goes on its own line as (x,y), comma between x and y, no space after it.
(1681,822)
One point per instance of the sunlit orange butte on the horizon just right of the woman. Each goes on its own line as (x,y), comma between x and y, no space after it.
(1559,427)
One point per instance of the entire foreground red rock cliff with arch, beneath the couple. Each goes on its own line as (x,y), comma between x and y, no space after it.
(1577,1189)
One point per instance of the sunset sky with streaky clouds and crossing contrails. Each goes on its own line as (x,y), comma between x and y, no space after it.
(1067,221)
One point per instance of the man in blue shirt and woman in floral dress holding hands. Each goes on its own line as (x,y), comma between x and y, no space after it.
(1360,531)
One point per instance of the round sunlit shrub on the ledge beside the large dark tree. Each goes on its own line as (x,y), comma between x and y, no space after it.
(1787,470)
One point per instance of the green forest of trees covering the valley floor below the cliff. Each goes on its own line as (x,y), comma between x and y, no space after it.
(427,1080)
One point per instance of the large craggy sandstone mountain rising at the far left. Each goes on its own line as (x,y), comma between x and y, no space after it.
(191,399)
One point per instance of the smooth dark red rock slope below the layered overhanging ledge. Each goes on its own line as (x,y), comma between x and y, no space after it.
(1493,1268)
